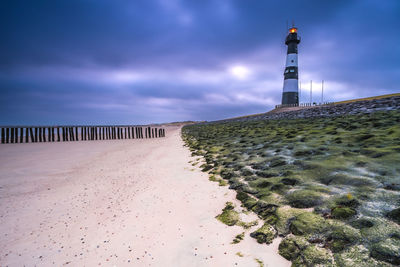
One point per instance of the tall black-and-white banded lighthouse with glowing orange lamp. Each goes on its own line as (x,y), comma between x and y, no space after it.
(290,93)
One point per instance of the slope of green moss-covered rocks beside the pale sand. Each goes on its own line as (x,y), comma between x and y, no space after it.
(330,186)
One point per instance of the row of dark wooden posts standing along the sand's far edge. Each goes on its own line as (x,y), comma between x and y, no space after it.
(77,133)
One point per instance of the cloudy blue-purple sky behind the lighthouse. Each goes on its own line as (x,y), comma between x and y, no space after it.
(153,61)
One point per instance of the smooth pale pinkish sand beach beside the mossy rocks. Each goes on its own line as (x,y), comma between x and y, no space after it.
(116,203)
